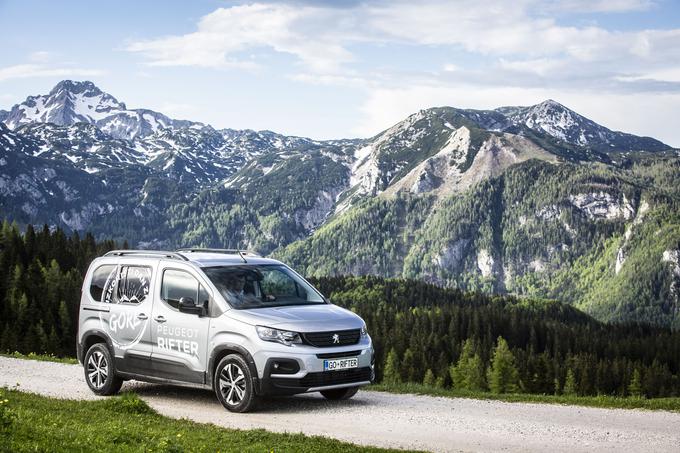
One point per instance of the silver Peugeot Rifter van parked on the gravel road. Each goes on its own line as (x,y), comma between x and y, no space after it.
(227,320)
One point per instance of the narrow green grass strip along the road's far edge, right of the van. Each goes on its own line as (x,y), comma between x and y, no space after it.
(610,402)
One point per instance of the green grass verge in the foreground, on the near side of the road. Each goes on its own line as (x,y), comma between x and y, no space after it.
(126,424)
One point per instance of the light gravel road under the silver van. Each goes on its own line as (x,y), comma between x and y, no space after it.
(387,420)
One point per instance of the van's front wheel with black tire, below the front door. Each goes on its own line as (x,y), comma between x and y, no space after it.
(233,384)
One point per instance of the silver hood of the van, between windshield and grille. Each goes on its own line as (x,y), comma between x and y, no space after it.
(300,318)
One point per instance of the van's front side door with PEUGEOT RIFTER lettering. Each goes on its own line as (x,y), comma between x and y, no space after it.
(180,340)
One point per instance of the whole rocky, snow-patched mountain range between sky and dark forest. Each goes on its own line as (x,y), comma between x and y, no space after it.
(535,200)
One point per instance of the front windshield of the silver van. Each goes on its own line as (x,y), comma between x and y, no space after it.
(259,286)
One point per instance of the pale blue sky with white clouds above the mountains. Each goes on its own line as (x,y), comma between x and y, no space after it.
(343,69)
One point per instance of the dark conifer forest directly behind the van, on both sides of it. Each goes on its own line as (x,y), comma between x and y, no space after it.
(423,333)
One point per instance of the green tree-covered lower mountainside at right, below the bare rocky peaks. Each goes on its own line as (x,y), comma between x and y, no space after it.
(590,235)
